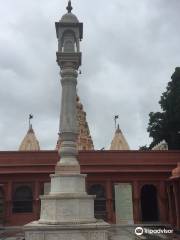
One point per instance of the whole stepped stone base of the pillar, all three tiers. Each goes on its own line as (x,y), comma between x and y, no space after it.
(67,212)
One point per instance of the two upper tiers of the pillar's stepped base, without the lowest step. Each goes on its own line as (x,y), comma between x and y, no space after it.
(67,202)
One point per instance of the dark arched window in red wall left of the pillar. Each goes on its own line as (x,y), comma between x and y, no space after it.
(23,200)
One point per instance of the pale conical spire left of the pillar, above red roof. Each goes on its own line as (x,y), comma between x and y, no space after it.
(30,142)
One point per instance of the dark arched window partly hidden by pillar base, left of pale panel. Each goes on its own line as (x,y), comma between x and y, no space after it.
(100,200)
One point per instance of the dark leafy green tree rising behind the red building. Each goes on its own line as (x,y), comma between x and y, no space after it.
(166,124)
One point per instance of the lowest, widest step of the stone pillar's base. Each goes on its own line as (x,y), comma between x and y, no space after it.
(89,231)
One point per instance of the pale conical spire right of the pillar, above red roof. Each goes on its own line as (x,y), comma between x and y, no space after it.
(119,142)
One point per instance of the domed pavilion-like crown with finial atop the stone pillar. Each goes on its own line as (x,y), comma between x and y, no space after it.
(69,32)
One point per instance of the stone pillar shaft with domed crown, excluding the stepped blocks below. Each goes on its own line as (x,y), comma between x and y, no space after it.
(69,33)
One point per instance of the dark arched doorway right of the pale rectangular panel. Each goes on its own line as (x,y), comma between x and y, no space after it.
(149,204)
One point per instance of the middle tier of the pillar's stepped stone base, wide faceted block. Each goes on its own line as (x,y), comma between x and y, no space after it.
(67,208)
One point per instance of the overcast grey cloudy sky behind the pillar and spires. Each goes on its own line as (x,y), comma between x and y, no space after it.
(130,50)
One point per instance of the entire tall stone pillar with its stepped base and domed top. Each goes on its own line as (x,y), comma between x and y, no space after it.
(67,212)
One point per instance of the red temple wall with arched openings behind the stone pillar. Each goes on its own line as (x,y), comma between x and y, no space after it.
(102,167)
